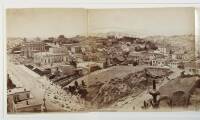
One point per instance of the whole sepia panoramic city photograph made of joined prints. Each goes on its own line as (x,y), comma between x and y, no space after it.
(102,60)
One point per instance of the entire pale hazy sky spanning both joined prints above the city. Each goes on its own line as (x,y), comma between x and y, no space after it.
(144,21)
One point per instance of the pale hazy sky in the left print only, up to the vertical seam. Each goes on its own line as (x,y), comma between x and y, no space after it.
(46,22)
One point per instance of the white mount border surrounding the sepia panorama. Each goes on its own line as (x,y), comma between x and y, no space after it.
(89,5)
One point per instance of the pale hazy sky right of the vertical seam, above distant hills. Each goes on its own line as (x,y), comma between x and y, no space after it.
(149,21)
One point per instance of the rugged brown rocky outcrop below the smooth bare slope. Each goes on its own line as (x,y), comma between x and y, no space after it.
(116,88)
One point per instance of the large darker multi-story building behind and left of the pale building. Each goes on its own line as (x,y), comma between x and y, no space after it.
(29,48)
